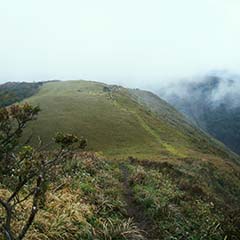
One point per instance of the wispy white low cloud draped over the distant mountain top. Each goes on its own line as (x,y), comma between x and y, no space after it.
(219,87)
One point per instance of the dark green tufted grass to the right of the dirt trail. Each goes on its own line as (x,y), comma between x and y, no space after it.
(185,205)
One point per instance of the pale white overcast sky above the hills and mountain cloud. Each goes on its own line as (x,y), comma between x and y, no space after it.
(137,43)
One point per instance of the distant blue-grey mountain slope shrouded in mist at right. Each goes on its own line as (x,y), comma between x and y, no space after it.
(213,104)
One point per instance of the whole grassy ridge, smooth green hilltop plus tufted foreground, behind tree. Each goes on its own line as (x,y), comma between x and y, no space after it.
(150,175)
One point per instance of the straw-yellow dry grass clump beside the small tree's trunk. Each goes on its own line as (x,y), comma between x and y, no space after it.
(63,217)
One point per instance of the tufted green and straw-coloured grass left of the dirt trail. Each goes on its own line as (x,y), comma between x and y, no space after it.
(84,202)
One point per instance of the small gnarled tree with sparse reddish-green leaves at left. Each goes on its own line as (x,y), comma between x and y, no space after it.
(24,171)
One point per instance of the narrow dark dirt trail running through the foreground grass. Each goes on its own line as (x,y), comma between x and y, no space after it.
(135,211)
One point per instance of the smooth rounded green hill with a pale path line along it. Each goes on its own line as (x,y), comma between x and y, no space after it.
(118,122)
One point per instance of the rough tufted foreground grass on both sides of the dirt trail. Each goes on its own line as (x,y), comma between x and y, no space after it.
(95,199)
